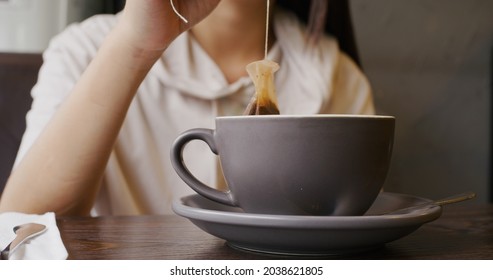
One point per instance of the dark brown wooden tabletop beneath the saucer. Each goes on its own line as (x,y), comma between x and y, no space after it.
(464,231)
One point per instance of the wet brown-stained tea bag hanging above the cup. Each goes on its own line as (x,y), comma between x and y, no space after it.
(264,102)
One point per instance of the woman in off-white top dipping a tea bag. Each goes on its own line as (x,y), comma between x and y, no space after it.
(115,91)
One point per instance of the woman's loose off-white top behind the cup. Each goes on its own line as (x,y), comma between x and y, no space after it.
(186,89)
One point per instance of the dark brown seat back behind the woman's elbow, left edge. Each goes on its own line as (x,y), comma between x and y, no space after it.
(18,74)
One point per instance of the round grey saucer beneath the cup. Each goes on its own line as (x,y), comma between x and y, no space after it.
(308,235)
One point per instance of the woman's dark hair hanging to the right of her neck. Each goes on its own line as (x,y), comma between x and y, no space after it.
(330,16)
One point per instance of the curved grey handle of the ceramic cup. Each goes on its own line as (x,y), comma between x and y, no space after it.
(206,135)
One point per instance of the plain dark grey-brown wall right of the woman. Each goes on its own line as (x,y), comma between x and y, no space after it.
(430,64)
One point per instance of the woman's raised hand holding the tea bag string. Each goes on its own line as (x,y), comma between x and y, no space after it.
(151,25)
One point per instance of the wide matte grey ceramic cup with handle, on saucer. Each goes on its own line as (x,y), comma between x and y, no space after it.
(295,165)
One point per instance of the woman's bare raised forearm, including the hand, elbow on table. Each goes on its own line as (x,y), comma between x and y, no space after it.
(62,169)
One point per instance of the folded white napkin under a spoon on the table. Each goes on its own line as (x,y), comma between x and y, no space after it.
(47,246)
